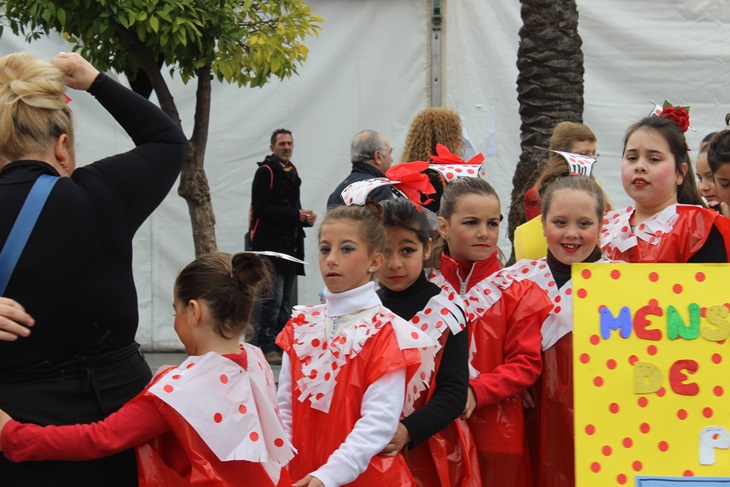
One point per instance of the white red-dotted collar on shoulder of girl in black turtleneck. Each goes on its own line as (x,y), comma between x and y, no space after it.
(444,311)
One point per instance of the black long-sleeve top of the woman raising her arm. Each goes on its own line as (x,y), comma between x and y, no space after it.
(75,273)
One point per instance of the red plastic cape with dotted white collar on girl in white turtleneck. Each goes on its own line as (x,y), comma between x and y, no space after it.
(330,378)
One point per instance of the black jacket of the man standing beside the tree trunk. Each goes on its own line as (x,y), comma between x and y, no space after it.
(275,205)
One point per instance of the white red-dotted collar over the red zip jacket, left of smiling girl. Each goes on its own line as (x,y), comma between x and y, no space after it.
(482,296)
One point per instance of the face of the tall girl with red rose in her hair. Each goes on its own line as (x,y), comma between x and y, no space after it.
(648,171)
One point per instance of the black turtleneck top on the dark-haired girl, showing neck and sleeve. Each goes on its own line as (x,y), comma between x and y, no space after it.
(452,377)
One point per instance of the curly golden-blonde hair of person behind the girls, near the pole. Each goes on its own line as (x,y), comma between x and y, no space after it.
(433,125)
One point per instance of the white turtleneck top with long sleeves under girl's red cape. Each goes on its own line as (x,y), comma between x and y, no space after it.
(382,402)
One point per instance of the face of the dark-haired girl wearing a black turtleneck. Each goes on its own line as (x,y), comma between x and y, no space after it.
(404,256)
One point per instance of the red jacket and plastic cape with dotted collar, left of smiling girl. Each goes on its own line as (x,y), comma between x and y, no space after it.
(504,319)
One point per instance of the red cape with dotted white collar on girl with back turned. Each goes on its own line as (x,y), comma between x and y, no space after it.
(219,412)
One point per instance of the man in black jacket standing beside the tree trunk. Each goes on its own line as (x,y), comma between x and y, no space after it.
(277,224)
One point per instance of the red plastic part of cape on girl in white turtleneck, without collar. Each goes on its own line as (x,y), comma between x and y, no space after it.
(316,433)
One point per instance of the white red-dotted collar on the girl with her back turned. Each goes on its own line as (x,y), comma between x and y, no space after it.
(232,410)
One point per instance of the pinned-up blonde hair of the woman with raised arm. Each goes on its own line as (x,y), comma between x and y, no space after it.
(33,110)
